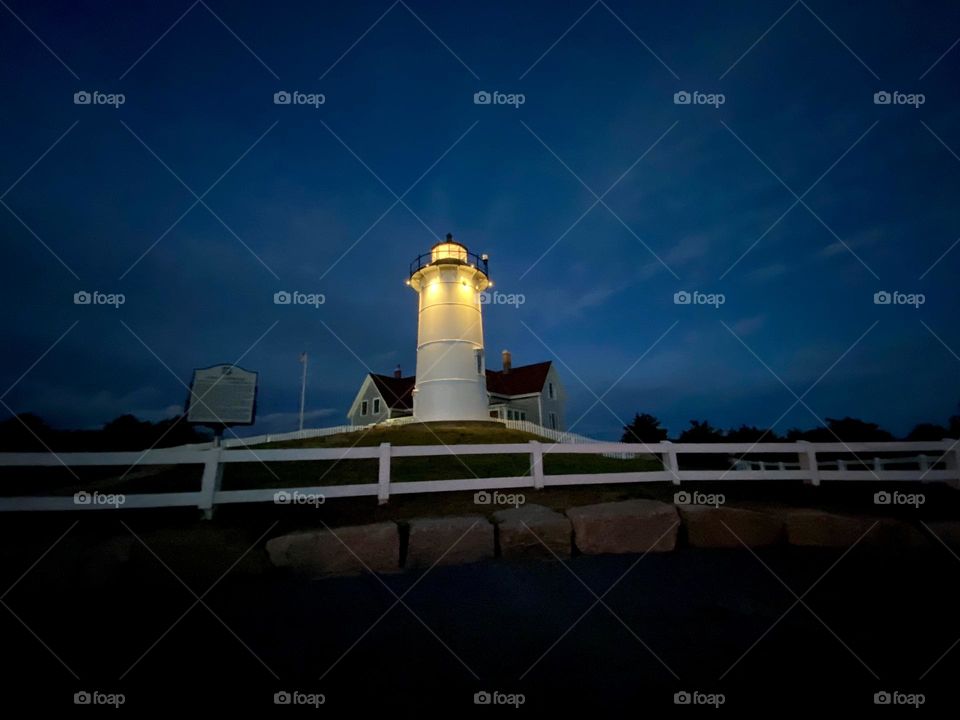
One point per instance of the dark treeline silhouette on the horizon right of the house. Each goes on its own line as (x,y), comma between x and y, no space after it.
(646,428)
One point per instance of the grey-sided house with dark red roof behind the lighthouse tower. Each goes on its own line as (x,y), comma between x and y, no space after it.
(527,392)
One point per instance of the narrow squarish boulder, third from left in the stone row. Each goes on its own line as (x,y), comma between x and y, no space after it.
(533,531)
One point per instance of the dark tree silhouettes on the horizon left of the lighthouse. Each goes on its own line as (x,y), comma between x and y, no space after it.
(28,432)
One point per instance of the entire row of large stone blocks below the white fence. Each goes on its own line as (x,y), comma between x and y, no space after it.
(631,526)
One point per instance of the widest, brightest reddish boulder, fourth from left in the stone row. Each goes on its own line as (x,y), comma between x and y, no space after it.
(631,526)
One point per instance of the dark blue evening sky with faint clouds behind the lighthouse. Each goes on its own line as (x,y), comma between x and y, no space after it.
(509,182)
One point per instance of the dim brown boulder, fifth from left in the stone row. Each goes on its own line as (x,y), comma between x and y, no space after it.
(728,527)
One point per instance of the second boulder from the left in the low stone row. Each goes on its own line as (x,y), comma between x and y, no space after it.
(449,541)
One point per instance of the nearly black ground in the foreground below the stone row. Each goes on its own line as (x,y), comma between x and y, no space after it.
(717,621)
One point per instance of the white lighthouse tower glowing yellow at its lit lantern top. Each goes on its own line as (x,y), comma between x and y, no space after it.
(451,371)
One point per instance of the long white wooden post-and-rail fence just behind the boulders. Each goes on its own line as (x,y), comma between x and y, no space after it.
(937,461)
